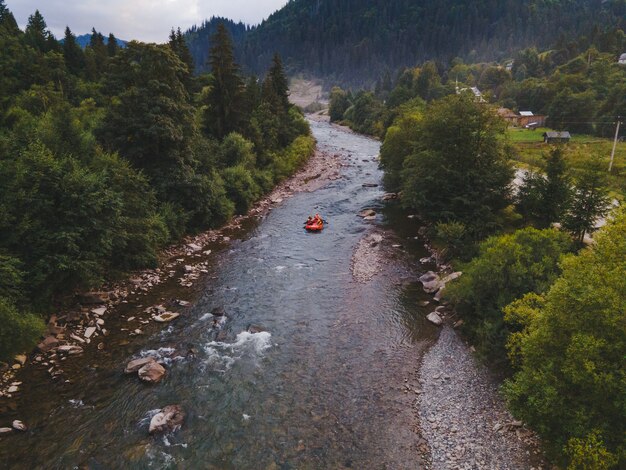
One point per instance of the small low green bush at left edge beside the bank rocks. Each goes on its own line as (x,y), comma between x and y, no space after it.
(19,330)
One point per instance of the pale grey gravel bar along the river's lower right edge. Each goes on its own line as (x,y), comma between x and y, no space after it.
(463,418)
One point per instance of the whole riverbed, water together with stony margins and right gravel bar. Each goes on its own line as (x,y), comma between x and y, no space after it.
(321,360)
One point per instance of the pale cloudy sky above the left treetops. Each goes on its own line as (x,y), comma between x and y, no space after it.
(144,20)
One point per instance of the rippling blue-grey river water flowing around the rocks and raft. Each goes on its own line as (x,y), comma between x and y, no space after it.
(322,387)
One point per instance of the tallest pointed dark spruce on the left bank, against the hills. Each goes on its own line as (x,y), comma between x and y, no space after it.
(224,100)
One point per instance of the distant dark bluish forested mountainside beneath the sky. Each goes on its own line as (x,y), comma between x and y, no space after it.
(353,41)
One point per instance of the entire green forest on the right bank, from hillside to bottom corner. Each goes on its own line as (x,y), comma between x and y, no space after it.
(541,301)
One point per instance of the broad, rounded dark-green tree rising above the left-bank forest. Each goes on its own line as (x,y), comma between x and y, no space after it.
(150,121)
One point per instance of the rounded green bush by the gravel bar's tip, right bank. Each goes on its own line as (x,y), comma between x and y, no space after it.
(506,268)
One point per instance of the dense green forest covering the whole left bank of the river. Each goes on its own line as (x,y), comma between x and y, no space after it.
(107,154)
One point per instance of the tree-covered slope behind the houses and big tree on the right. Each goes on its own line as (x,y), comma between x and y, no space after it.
(578,84)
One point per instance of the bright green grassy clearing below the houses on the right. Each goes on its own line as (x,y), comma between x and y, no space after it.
(530,151)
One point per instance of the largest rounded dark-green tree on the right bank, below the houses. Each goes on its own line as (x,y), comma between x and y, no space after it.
(458,169)
